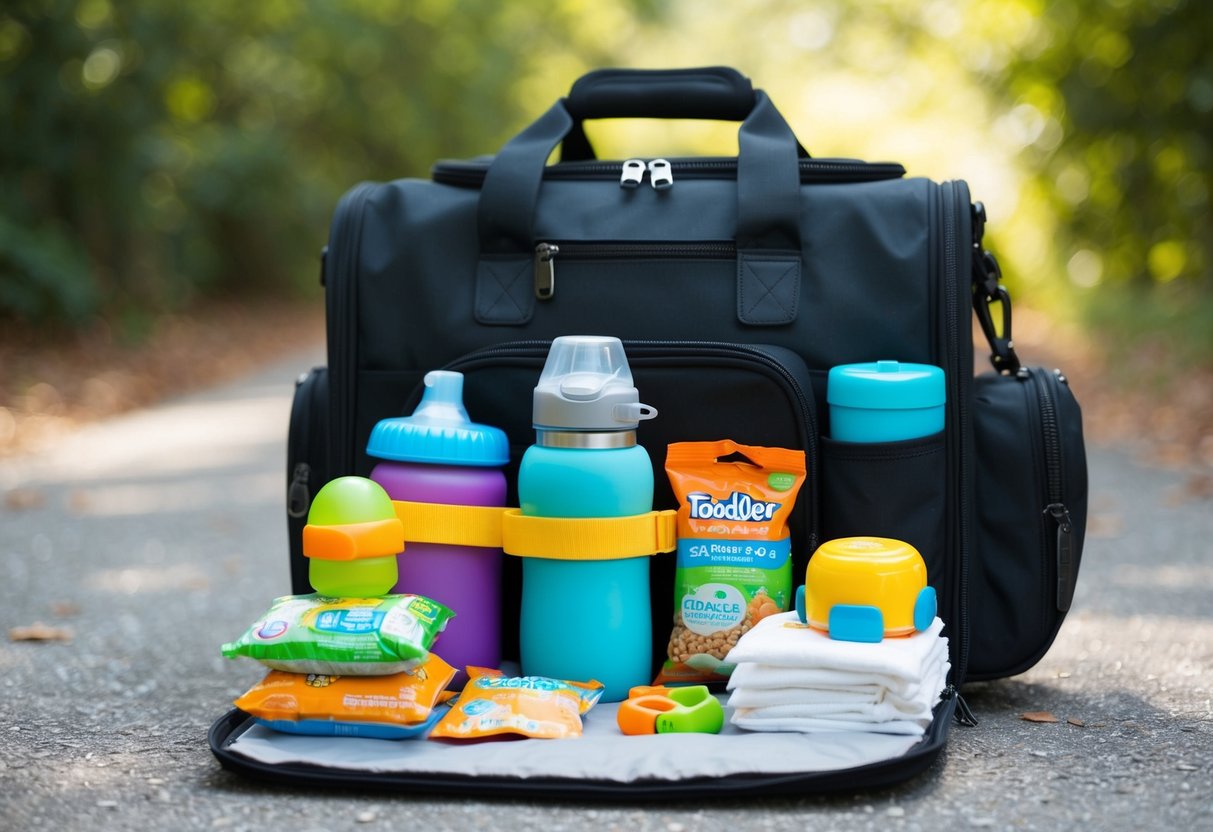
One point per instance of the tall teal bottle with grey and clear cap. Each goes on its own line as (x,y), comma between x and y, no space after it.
(588,619)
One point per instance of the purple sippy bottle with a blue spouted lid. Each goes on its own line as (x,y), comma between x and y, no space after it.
(438,455)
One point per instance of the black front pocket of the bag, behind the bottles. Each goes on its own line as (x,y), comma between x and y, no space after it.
(703,391)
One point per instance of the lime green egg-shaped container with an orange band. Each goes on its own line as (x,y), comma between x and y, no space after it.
(352,539)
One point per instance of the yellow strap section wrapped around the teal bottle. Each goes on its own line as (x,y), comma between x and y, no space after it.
(589,538)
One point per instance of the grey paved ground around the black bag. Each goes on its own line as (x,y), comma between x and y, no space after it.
(160,535)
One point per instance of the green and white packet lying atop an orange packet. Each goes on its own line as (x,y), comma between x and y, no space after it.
(344,636)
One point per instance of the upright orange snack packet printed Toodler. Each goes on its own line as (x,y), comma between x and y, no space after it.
(734,562)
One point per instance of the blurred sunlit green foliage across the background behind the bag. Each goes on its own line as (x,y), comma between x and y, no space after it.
(158,153)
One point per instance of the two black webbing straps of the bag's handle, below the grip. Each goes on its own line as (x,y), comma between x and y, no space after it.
(768,232)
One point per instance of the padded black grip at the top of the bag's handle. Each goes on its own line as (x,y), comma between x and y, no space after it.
(707,93)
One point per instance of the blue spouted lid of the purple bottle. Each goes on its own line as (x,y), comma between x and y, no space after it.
(440,431)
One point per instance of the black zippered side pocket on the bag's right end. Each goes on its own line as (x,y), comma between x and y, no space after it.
(1032,491)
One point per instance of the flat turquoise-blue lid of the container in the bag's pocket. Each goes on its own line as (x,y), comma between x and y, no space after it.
(886,386)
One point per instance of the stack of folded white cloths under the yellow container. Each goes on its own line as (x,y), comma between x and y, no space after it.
(793,679)
